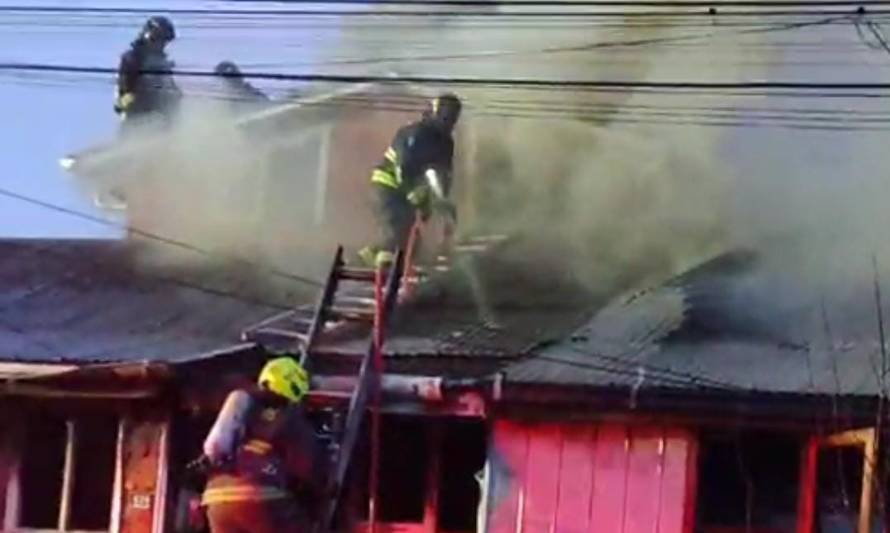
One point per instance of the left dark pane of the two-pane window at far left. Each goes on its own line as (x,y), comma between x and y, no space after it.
(41,473)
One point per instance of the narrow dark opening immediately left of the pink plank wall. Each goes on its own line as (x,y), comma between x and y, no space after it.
(463,456)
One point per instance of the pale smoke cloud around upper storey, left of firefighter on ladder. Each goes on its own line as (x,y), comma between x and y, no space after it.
(211,200)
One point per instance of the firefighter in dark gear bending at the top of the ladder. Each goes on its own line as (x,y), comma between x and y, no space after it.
(414,178)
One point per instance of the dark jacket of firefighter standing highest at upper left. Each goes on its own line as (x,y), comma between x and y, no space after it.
(145,82)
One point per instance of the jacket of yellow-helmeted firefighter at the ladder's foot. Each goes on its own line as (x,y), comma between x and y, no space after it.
(278,454)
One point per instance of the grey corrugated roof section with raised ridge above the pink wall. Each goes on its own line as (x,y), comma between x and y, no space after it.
(715,327)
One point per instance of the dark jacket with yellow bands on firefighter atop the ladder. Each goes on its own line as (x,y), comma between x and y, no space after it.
(415,149)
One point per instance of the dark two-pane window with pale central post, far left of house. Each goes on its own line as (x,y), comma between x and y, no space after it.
(66,473)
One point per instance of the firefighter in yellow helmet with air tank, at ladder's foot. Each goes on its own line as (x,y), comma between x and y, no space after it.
(261,453)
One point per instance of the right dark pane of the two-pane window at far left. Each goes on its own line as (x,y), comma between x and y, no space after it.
(95,454)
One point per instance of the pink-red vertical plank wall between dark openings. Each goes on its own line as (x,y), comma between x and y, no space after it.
(591,478)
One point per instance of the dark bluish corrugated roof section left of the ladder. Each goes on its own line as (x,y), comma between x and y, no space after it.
(103,301)
